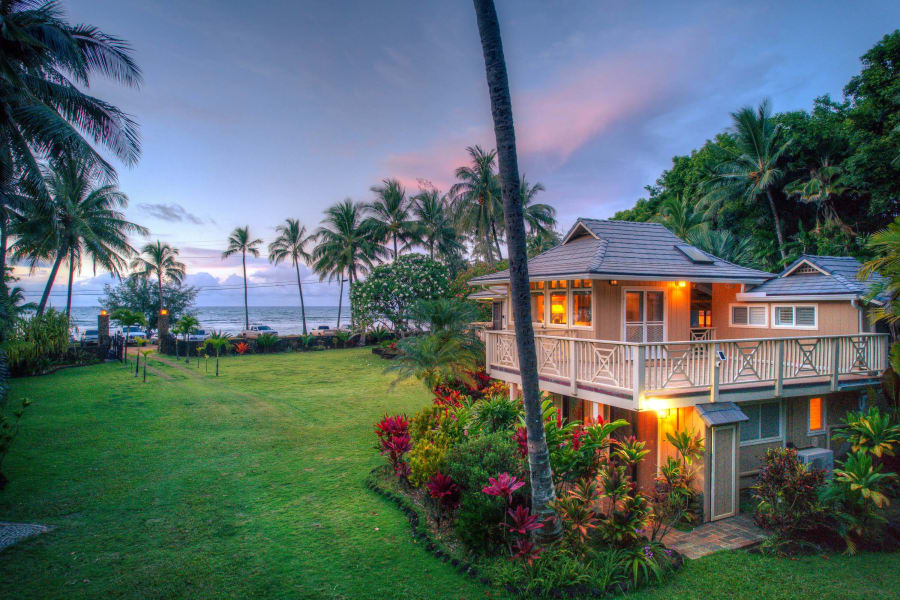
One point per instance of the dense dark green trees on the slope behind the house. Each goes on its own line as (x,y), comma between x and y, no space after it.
(835,182)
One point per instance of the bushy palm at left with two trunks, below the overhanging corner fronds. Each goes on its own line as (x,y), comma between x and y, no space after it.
(75,219)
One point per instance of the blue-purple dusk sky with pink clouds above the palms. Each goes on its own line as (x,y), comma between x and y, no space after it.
(253,113)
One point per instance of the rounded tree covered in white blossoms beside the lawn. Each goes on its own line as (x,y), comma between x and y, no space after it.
(388,294)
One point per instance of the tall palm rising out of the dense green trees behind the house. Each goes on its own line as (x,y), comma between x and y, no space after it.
(752,169)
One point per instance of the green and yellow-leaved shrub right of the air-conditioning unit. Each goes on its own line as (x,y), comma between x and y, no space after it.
(855,498)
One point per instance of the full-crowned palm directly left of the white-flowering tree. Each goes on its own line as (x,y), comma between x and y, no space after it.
(345,245)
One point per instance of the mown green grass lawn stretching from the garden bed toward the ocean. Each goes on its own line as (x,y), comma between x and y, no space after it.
(251,485)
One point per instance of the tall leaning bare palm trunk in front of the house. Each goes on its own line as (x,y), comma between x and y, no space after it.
(542,489)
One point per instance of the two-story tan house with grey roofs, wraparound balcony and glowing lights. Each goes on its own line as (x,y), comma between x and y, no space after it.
(632,322)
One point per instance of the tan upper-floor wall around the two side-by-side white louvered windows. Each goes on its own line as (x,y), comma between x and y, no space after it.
(835,317)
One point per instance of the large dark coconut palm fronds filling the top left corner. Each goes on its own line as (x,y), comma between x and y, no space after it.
(45,64)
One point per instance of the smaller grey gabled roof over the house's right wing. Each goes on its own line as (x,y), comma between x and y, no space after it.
(831,276)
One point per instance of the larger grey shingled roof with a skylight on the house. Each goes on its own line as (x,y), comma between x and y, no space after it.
(628,250)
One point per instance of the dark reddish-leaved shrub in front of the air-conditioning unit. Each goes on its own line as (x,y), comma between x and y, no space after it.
(787,492)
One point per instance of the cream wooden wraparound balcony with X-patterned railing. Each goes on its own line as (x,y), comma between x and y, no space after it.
(689,372)
